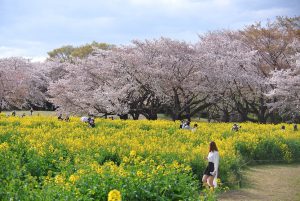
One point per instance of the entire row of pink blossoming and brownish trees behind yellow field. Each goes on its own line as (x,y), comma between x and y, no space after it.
(248,75)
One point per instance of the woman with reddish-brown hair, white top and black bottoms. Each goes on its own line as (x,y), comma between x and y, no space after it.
(210,174)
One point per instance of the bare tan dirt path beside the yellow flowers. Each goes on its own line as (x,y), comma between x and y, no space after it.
(268,183)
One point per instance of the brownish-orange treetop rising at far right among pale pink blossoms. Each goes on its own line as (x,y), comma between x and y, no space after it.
(273,42)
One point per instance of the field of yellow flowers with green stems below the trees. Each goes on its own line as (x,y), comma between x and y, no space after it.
(45,159)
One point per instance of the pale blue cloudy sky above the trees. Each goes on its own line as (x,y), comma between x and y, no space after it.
(31,28)
